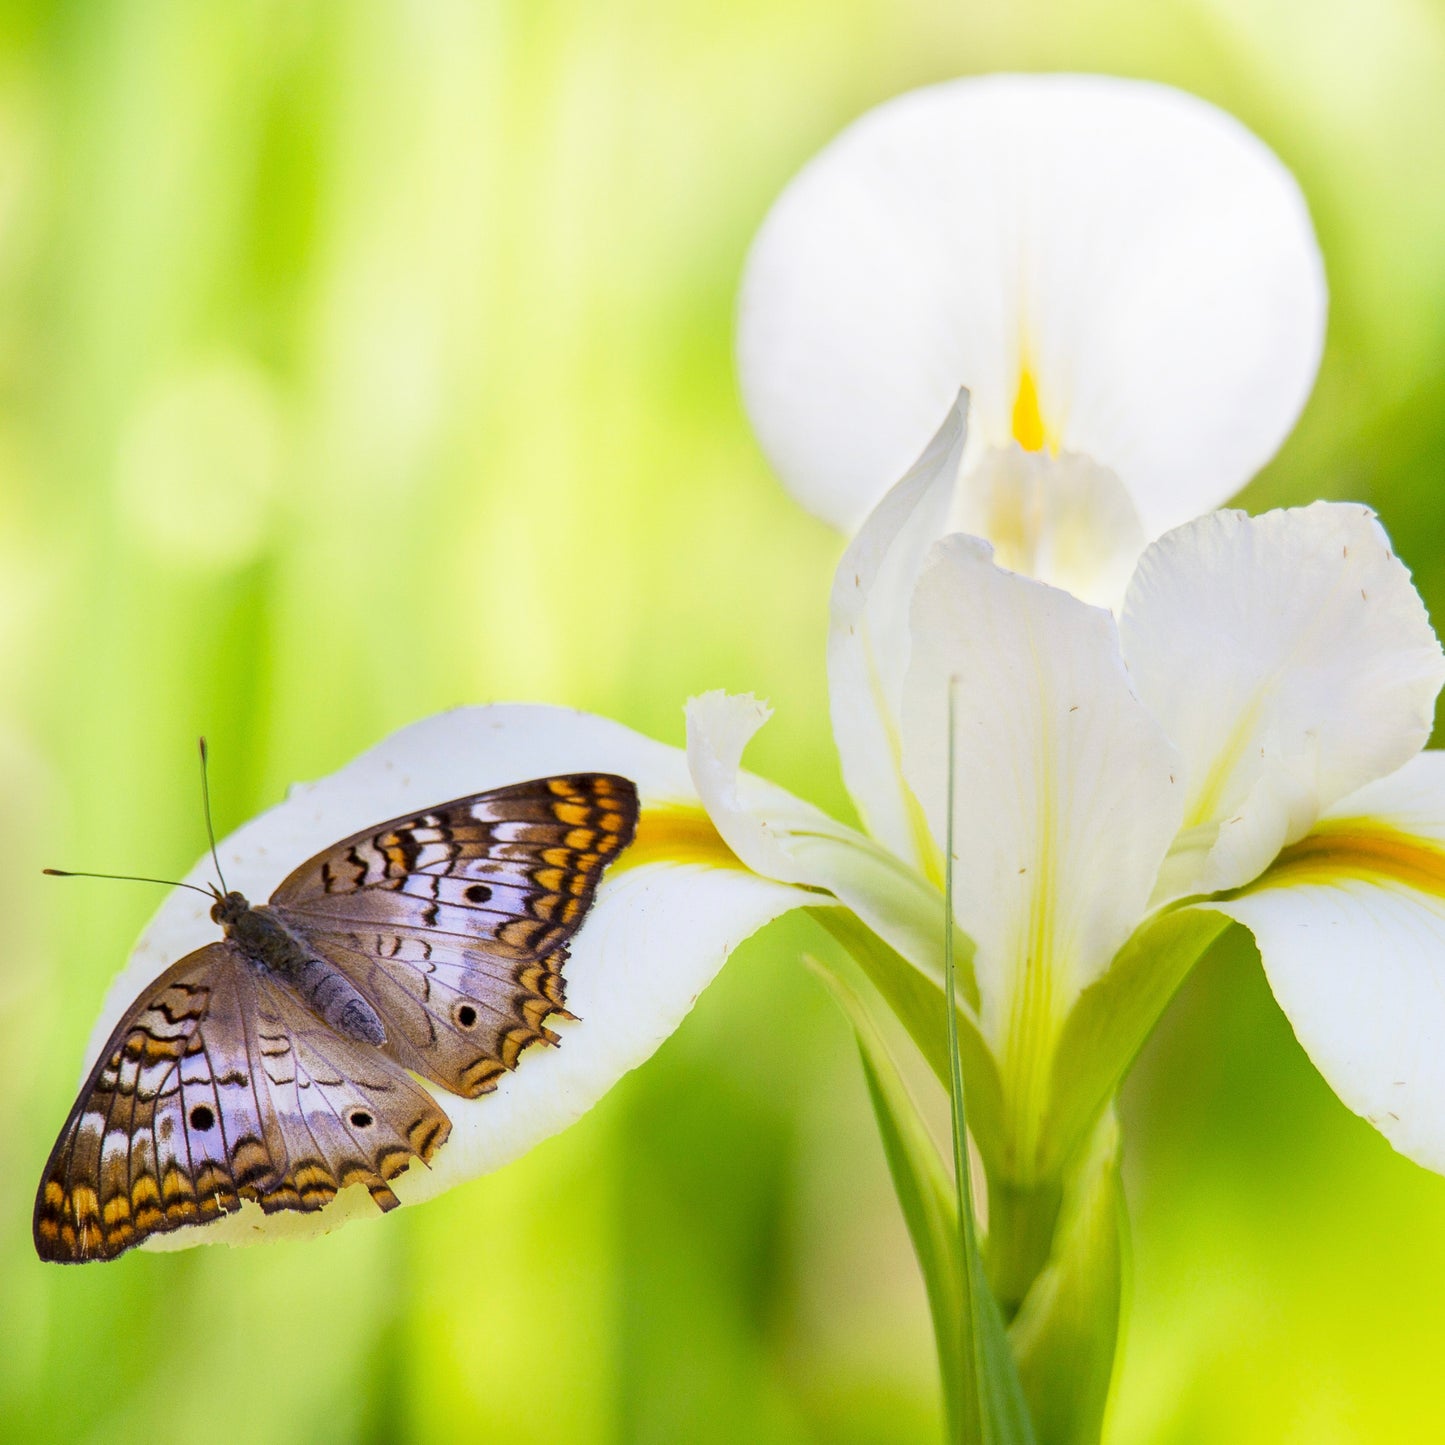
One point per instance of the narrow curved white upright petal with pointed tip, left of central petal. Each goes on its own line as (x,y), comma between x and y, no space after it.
(869,641)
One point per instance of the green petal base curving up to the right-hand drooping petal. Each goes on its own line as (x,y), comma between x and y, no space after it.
(1110,1022)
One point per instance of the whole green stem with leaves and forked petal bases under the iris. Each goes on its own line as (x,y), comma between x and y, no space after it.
(1050,1267)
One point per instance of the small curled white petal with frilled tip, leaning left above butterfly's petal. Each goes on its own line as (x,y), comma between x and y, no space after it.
(782,837)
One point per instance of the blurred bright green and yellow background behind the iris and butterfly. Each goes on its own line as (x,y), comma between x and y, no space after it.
(339,346)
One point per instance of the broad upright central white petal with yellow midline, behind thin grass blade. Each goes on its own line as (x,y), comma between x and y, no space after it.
(1066,787)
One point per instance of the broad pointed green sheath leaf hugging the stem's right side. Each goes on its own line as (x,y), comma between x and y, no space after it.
(1067,1333)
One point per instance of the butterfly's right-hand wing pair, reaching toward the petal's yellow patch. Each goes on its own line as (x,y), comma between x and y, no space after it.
(454,921)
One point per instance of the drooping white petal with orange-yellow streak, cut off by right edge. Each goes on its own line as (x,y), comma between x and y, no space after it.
(1350,924)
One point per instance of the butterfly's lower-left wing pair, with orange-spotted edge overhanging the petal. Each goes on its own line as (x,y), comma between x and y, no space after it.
(187,1113)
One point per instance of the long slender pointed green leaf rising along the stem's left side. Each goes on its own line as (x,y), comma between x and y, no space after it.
(982,1391)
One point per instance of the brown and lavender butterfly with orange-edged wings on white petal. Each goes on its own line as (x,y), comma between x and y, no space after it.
(282,1063)
